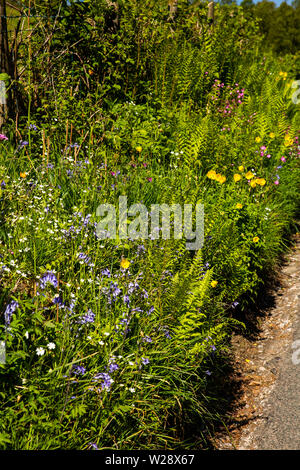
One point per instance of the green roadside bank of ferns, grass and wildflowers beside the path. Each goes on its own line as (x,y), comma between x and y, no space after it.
(120,343)
